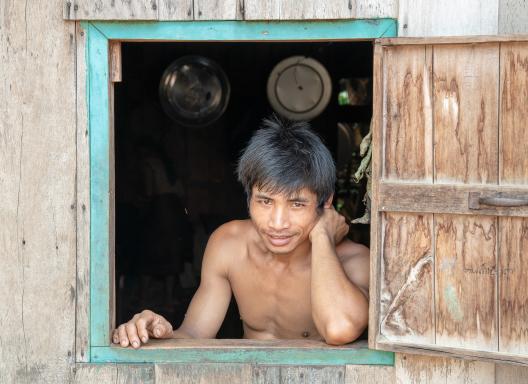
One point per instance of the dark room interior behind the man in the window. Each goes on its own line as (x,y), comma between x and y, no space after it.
(176,184)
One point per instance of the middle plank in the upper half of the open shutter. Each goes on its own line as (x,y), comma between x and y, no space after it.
(465,108)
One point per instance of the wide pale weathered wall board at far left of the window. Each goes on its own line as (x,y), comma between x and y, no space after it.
(37,185)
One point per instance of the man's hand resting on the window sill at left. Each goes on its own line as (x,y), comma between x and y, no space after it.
(142,326)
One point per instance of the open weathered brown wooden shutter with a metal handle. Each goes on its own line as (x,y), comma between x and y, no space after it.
(449,243)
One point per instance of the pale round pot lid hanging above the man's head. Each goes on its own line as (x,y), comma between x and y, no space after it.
(299,88)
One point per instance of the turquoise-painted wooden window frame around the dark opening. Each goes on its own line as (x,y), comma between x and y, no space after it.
(103,95)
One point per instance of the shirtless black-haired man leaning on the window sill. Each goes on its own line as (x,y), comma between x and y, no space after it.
(292,274)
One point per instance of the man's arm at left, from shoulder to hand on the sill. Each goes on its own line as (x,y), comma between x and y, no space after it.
(208,306)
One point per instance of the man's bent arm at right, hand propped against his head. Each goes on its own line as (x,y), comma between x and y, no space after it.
(338,287)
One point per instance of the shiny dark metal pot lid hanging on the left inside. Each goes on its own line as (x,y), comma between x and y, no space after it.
(194,91)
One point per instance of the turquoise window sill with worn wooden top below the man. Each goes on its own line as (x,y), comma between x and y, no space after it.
(295,352)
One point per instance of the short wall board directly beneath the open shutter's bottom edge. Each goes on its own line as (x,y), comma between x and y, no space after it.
(411,369)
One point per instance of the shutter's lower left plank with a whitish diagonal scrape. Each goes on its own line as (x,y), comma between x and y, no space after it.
(407,310)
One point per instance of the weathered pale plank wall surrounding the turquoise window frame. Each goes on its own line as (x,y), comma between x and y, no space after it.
(44,185)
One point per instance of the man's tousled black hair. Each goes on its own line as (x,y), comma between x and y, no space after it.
(284,157)
